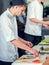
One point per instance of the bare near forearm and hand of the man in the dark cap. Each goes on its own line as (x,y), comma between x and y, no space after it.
(23,46)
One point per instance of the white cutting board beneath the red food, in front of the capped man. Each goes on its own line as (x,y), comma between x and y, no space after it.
(27,60)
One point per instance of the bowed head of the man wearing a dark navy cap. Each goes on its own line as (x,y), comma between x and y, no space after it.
(17,7)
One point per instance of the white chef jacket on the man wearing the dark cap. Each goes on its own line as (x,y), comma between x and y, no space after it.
(8,32)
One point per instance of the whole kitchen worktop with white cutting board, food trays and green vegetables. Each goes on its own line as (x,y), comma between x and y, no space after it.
(29,59)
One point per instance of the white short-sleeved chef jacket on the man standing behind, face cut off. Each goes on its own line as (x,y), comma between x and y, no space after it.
(35,10)
